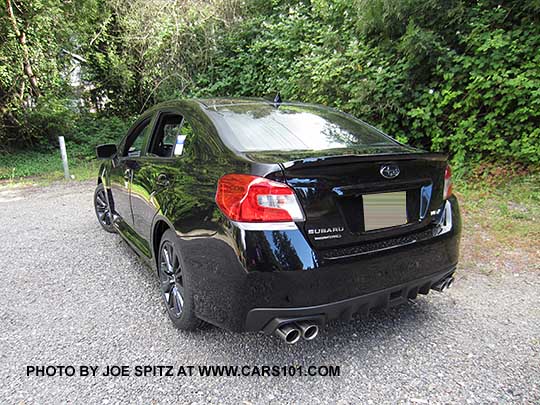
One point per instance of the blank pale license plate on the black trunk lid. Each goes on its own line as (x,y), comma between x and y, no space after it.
(384,210)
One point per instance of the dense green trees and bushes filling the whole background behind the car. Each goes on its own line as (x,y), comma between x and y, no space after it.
(447,75)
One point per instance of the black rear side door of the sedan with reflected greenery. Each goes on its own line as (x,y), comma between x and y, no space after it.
(170,180)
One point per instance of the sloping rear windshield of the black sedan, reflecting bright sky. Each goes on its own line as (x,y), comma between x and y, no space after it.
(263,127)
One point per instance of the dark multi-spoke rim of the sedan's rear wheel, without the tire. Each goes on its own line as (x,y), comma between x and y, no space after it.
(170,275)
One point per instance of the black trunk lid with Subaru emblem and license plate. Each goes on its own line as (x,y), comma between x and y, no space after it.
(346,199)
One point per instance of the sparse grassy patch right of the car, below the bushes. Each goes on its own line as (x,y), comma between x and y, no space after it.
(500,208)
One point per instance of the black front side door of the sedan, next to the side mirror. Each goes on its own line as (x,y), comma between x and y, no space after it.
(129,151)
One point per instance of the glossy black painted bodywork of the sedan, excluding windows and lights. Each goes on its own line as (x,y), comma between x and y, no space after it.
(235,270)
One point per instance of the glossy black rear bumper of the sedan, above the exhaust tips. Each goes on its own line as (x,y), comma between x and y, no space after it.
(242,280)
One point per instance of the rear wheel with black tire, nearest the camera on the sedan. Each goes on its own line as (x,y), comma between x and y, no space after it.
(175,285)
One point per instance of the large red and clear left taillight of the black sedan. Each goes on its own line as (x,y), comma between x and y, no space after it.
(246,198)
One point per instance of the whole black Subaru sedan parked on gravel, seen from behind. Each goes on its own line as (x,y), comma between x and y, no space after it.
(277,217)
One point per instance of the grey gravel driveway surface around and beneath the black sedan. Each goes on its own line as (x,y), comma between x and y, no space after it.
(71,294)
